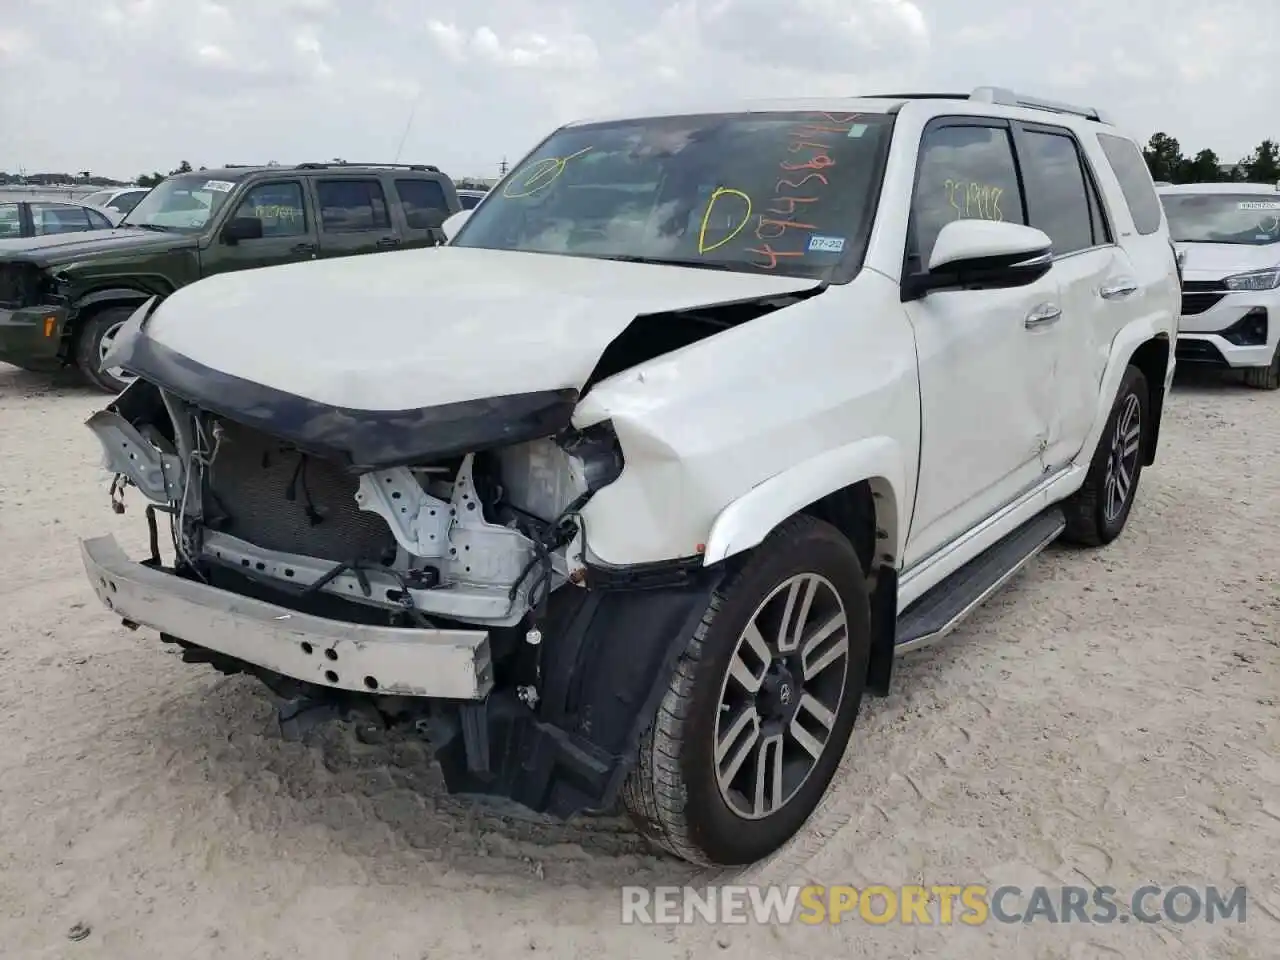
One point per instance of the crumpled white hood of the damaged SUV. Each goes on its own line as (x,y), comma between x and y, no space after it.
(422,328)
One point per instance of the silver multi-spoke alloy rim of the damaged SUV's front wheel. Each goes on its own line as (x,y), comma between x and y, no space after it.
(781,696)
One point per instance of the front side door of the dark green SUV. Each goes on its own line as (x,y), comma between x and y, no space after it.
(289,232)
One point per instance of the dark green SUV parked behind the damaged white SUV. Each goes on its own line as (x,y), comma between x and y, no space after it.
(65,298)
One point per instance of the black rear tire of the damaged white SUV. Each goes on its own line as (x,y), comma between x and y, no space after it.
(1092,519)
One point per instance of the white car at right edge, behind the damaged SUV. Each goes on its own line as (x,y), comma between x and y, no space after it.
(1229,237)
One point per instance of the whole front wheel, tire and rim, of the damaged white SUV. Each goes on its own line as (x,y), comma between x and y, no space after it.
(761,706)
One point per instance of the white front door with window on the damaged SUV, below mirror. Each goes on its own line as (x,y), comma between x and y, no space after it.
(986,356)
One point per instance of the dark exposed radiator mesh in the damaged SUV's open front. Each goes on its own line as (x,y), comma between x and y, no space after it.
(262,491)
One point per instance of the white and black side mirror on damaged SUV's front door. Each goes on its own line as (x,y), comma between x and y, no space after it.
(984,254)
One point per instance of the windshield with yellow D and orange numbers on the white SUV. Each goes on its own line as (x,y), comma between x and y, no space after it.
(789,194)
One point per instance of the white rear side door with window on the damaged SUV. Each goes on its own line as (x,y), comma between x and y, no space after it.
(1092,272)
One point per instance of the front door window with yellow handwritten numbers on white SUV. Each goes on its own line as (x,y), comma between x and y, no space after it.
(966,172)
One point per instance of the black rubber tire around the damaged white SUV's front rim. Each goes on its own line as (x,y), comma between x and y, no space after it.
(674,793)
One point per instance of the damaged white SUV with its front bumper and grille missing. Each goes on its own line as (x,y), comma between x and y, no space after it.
(638,486)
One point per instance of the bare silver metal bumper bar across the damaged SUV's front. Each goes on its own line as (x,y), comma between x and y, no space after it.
(397,661)
